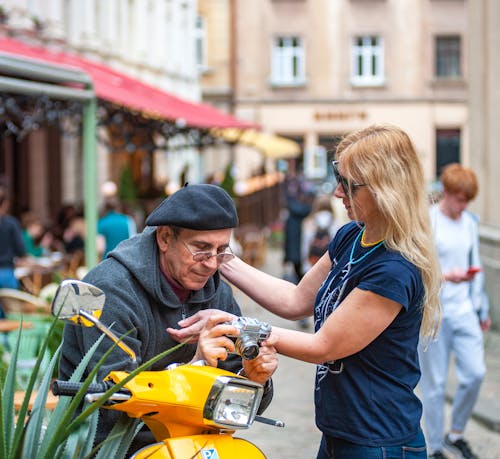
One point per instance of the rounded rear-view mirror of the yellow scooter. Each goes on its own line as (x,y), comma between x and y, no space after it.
(73,296)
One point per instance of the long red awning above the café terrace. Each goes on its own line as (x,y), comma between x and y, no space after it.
(123,90)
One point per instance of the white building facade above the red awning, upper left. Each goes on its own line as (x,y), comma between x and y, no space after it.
(152,40)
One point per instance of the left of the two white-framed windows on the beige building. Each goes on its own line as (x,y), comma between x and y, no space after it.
(288,62)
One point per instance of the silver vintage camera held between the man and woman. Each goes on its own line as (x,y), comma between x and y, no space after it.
(252,333)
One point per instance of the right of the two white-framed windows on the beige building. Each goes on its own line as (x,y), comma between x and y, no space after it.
(367,61)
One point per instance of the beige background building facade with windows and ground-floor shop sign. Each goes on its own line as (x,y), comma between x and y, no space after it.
(315,70)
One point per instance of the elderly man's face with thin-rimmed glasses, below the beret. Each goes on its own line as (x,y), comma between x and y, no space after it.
(176,254)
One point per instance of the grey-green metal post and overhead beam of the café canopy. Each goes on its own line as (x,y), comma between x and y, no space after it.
(21,73)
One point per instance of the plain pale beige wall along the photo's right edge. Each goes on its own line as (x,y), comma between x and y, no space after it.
(484,17)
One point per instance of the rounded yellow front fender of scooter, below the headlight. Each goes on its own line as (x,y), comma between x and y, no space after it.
(217,446)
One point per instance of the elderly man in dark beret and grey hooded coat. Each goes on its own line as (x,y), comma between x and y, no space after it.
(165,275)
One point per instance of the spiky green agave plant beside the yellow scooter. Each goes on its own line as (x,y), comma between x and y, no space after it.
(69,430)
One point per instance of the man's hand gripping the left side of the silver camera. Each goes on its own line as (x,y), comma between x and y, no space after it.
(213,344)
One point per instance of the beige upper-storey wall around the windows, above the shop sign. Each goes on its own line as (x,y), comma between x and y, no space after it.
(407,27)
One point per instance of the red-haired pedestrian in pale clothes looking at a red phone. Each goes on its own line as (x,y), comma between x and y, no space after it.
(465,316)
